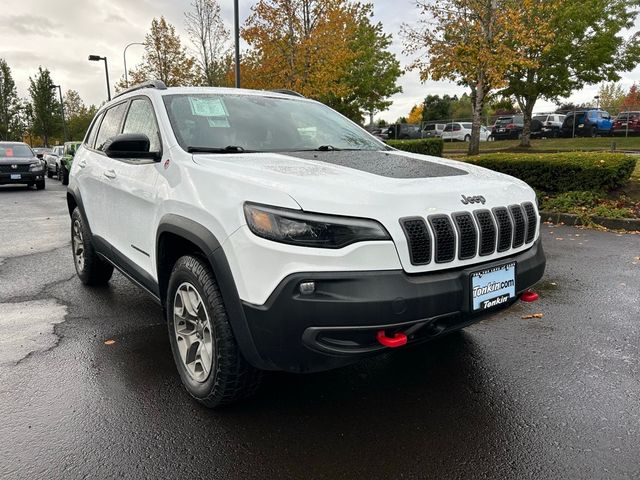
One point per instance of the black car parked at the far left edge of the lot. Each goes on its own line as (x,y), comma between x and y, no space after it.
(20,165)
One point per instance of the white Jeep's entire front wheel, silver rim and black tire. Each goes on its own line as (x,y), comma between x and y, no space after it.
(205,351)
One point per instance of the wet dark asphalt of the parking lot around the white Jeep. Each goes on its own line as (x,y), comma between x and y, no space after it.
(510,397)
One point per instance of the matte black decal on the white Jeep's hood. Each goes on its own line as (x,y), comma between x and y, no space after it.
(382,163)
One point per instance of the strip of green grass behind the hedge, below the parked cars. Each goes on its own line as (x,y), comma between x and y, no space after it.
(554,145)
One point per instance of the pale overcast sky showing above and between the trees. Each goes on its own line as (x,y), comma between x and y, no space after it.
(60,34)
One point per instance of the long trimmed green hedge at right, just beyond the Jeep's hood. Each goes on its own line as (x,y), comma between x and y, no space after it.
(562,172)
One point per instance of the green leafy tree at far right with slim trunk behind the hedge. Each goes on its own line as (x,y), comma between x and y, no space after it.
(584,46)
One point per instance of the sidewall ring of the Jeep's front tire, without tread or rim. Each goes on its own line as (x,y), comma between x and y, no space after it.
(180,275)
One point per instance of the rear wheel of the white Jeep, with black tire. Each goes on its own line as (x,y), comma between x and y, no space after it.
(92,270)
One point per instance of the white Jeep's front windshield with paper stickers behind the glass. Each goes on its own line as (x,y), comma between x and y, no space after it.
(204,122)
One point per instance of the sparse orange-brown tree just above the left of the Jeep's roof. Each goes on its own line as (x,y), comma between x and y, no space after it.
(164,59)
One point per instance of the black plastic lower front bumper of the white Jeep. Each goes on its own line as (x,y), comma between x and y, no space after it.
(318,321)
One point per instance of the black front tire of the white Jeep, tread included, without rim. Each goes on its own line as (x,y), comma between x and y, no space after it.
(230,377)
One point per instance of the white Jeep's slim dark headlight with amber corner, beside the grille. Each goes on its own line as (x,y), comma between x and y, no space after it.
(310,229)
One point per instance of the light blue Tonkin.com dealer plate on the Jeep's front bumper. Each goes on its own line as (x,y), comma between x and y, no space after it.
(493,286)
